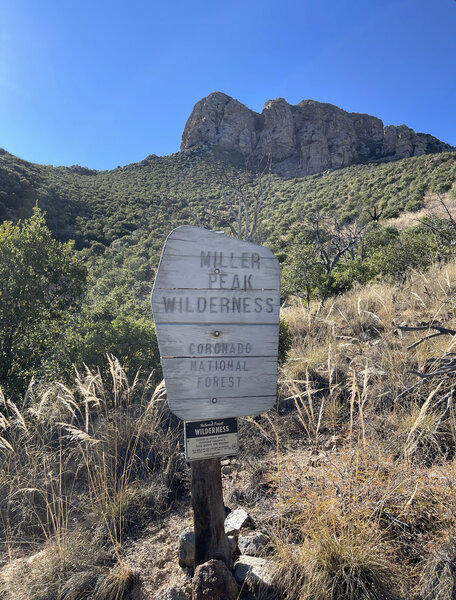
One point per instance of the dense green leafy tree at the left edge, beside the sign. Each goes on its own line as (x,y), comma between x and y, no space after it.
(41,284)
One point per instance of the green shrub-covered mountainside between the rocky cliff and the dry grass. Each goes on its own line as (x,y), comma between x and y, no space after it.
(119,221)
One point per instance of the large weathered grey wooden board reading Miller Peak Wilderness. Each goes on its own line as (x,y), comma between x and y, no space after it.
(216,302)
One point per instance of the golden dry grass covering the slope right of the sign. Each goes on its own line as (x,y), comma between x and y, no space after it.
(371,492)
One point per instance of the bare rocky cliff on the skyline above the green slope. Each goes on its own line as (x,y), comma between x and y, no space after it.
(306,138)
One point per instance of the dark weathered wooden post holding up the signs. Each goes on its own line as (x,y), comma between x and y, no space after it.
(209,512)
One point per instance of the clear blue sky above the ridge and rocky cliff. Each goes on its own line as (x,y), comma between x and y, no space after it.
(102,84)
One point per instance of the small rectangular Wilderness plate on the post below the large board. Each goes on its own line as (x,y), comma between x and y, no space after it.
(210,439)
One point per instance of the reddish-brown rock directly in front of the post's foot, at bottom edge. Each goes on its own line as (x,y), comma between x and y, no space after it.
(213,581)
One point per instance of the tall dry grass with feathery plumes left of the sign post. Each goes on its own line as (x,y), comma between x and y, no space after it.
(81,468)
